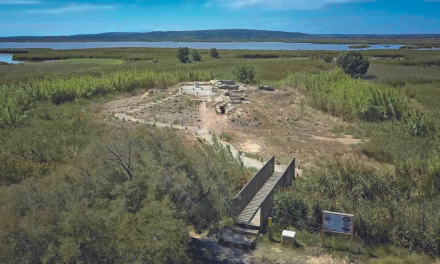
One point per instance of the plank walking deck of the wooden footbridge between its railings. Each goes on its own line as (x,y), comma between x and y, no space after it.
(250,216)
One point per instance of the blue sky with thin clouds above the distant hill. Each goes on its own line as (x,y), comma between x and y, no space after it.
(49,17)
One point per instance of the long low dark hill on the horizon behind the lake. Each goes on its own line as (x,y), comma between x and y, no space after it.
(208,35)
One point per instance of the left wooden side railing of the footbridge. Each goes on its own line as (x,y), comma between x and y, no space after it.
(248,192)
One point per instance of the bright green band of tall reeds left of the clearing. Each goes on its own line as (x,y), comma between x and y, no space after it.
(16,99)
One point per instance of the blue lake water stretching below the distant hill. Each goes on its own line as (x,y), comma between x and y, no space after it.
(169,44)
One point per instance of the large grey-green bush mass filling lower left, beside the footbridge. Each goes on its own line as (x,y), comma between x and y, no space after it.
(128,199)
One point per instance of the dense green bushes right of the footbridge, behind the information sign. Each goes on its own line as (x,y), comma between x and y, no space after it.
(387,209)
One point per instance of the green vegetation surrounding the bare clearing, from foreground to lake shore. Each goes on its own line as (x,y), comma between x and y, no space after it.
(58,167)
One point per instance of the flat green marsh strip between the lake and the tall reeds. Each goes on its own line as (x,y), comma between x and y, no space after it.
(160,59)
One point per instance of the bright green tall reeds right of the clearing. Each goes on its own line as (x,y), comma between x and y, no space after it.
(335,92)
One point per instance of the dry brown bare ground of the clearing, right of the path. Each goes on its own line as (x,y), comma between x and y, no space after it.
(278,124)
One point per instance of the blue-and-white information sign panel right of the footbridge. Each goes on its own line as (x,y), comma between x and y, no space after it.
(337,222)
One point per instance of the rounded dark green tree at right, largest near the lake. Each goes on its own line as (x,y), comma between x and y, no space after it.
(353,63)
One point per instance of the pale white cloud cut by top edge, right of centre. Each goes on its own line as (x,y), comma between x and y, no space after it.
(277,4)
